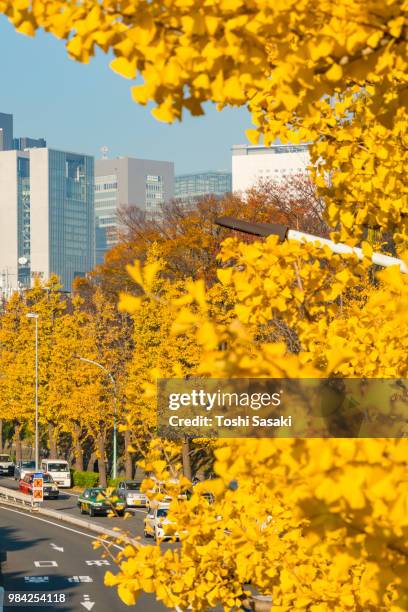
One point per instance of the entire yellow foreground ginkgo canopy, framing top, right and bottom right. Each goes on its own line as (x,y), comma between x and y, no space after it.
(316,524)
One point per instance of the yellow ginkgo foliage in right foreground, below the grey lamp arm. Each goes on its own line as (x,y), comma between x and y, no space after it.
(315,524)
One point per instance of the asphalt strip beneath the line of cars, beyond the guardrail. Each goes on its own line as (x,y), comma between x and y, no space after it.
(67,503)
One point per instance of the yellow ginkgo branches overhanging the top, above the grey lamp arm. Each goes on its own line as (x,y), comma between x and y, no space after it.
(321,72)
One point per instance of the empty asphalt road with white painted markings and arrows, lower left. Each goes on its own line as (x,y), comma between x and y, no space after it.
(42,556)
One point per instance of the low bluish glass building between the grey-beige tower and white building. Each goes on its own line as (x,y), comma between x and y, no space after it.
(191,187)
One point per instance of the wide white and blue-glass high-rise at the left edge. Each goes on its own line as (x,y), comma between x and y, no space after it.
(46,216)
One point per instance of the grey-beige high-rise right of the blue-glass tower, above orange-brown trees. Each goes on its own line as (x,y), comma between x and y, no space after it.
(126,181)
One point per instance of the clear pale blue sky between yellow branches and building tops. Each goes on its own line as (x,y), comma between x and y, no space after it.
(82,107)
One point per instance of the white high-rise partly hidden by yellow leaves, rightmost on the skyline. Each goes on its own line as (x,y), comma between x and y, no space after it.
(252,163)
